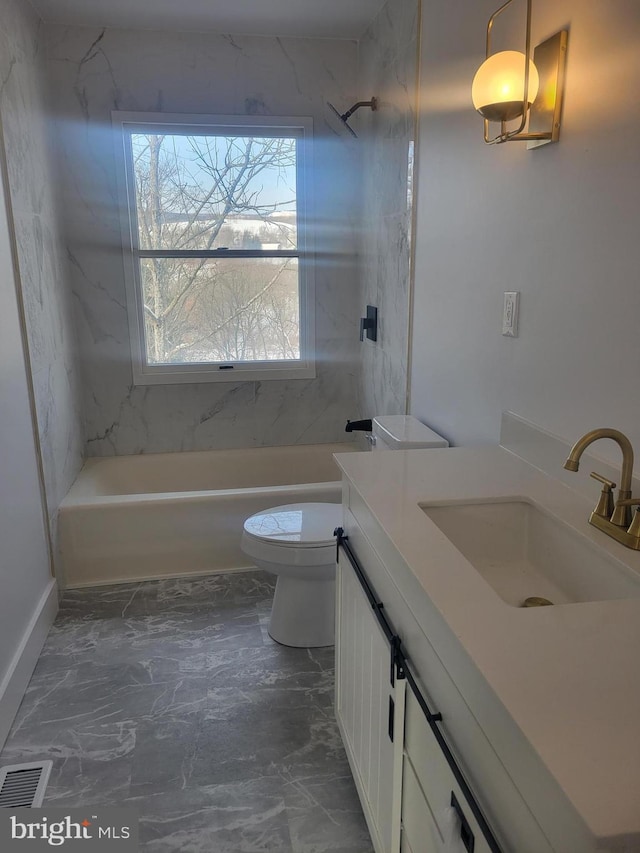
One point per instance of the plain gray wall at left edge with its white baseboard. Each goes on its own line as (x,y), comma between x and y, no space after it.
(29,599)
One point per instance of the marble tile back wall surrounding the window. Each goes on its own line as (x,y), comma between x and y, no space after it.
(94,71)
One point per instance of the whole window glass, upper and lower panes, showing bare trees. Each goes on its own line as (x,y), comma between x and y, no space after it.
(217,247)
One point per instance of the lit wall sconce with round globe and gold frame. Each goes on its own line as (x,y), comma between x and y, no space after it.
(510,85)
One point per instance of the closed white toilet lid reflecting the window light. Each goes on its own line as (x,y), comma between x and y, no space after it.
(308,524)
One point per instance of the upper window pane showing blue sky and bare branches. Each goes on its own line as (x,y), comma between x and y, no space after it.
(208,192)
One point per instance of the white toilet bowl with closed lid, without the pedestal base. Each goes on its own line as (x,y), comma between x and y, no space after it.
(293,534)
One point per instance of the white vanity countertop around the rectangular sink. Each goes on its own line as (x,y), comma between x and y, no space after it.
(568,675)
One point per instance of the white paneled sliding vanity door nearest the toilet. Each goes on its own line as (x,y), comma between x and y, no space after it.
(369,709)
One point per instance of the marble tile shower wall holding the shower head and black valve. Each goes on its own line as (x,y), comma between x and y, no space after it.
(387,69)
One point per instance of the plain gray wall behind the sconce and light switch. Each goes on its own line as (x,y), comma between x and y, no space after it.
(560,224)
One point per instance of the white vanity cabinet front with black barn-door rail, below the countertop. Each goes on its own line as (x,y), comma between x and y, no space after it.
(407,786)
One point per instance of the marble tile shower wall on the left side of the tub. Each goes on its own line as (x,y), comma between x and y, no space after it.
(40,251)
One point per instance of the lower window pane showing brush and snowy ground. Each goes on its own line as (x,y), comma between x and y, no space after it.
(220,310)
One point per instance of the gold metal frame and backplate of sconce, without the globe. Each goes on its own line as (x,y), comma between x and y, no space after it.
(543,114)
